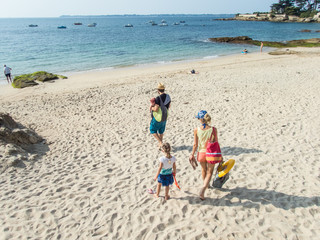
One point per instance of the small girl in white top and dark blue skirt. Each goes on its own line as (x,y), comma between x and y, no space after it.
(166,170)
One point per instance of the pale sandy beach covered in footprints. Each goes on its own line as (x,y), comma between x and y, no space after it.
(89,180)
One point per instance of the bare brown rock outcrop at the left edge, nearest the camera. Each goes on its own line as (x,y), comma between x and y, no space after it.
(16,143)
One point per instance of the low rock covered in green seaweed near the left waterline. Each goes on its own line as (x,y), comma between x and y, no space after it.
(27,80)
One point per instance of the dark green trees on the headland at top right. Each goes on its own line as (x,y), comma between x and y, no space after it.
(301,8)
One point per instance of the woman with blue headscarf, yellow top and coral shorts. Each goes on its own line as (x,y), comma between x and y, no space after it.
(202,135)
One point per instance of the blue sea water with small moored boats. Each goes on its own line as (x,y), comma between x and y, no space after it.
(110,44)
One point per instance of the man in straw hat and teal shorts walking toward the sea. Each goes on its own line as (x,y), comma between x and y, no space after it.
(160,114)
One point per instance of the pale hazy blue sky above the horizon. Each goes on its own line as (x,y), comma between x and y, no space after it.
(55,8)
